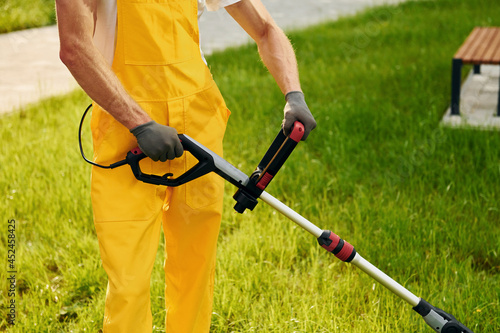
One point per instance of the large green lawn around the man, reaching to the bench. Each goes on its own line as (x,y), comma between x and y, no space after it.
(418,201)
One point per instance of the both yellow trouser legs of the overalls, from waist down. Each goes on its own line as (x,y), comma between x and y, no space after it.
(128,217)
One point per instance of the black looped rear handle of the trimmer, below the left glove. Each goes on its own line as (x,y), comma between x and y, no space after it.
(205,165)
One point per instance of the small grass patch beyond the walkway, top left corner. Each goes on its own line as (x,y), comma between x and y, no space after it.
(24,14)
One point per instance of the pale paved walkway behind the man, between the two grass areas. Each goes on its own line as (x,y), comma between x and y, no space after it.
(29,60)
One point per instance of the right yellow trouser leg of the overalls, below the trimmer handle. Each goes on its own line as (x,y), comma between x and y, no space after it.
(191,239)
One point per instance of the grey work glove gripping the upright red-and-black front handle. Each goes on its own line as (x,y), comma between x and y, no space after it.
(296,109)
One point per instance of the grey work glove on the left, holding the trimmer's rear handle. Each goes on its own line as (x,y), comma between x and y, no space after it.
(158,142)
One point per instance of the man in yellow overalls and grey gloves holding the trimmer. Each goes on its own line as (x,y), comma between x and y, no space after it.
(140,62)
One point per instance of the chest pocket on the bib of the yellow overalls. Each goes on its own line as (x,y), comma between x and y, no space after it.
(159,32)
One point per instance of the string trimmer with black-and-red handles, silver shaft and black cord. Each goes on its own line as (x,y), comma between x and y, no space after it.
(252,188)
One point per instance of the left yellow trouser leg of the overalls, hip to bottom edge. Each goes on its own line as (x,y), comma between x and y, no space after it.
(127,219)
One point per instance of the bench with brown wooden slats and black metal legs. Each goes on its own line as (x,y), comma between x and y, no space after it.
(481,47)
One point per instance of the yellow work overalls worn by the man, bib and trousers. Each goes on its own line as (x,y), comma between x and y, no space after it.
(157,58)
